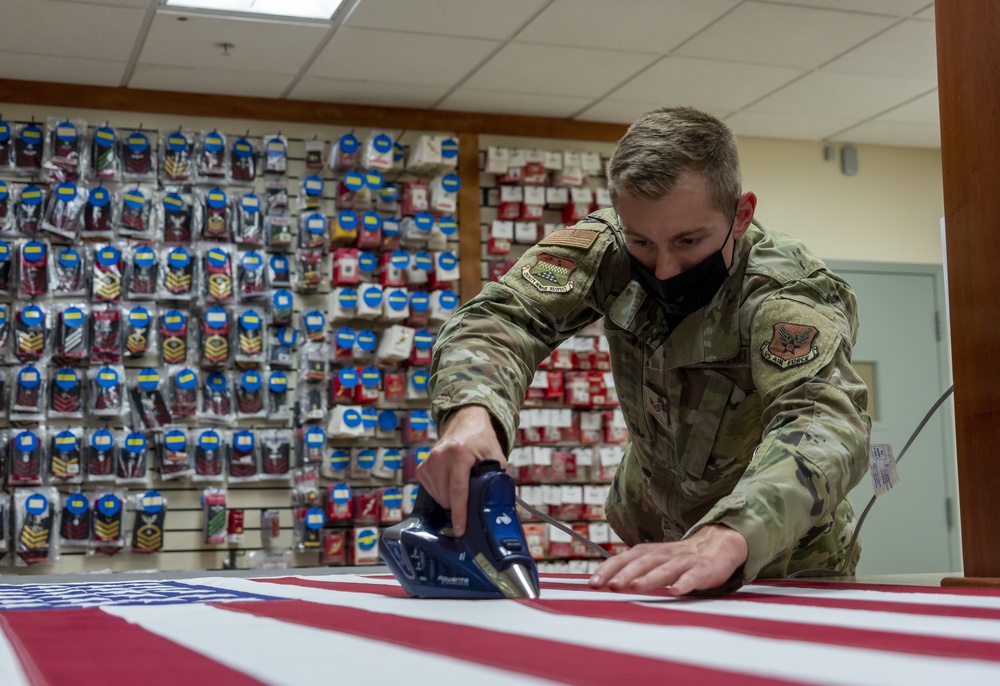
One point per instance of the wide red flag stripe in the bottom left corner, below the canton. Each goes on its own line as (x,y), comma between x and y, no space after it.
(88,646)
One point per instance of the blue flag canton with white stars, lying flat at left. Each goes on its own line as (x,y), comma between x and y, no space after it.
(73,596)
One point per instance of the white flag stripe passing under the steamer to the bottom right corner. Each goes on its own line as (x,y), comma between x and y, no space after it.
(712,648)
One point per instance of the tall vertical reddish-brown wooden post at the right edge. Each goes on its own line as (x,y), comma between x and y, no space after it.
(968,57)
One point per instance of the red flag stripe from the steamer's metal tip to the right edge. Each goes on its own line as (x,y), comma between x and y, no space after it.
(770,628)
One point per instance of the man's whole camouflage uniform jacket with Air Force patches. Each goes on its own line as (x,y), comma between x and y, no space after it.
(748,414)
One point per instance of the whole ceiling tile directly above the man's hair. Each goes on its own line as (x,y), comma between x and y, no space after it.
(705,83)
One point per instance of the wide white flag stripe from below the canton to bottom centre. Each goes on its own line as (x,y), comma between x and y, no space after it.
(285,653)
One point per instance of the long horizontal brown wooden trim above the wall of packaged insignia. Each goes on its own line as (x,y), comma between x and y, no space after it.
(312,112)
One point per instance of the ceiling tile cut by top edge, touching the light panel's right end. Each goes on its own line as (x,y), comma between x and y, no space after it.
(469,18)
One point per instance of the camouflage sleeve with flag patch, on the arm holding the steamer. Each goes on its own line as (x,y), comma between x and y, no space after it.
(487,353)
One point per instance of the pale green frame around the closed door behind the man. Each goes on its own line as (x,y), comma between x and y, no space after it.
(943,380)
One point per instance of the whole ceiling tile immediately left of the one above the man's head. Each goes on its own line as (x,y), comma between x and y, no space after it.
(545,70)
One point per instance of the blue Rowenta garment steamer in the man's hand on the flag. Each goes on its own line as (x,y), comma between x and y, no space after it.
(490,560)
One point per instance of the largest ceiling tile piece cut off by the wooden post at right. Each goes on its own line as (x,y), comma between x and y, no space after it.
(908,49)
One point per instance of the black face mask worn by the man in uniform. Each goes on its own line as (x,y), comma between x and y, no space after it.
(690,290)
